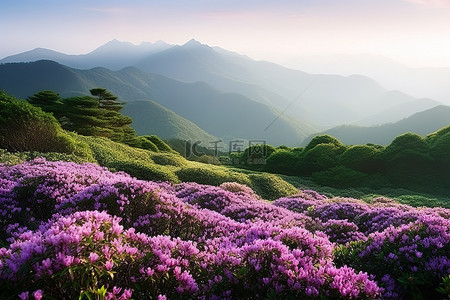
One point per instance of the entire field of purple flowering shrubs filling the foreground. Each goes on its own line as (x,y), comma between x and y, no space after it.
(71,230)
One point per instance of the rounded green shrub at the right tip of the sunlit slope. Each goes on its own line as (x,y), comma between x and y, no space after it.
(270,186)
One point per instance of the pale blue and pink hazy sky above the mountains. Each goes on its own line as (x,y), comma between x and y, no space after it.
(413,32)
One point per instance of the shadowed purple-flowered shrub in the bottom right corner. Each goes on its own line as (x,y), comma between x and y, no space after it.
(409,260)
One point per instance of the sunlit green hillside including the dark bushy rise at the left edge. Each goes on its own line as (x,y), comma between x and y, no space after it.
(162,164)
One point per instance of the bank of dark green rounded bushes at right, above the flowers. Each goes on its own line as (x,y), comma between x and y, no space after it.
(410,161)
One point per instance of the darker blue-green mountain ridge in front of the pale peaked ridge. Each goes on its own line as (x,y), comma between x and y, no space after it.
(219,114)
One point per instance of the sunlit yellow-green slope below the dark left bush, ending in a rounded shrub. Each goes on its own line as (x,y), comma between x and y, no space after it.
(162,165)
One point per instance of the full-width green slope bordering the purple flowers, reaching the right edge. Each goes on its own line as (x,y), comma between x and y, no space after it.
(169,166)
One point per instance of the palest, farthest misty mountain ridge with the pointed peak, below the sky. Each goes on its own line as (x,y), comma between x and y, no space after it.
(326,100)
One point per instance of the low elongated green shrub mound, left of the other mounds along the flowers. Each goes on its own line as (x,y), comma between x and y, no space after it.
(144,171)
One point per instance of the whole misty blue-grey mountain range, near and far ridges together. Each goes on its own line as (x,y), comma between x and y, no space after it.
(220,93)
